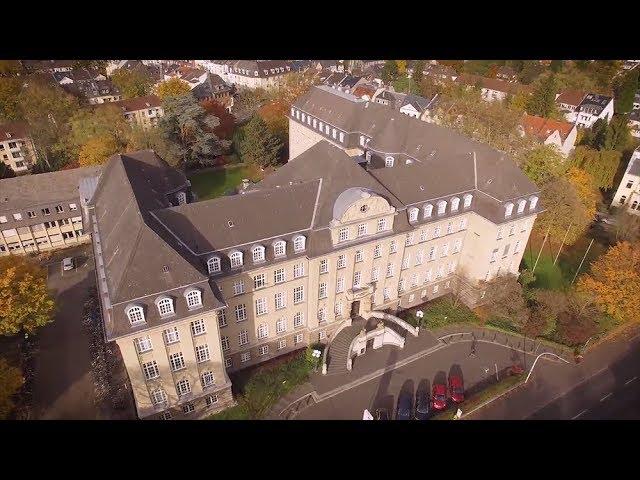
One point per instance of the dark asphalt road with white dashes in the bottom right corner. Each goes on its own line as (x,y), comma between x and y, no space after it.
(611,394)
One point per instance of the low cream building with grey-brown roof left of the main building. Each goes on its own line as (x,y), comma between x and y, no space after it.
(42,212)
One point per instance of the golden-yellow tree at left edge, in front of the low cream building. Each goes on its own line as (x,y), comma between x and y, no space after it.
(25,302)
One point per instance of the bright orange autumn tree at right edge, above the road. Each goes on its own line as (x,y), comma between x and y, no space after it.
(614,281)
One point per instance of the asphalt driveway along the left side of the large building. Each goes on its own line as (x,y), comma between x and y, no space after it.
(63,385)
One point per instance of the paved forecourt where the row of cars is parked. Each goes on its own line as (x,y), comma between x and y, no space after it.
(382,392)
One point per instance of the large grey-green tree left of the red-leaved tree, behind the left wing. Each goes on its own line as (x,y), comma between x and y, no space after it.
(189,131)
